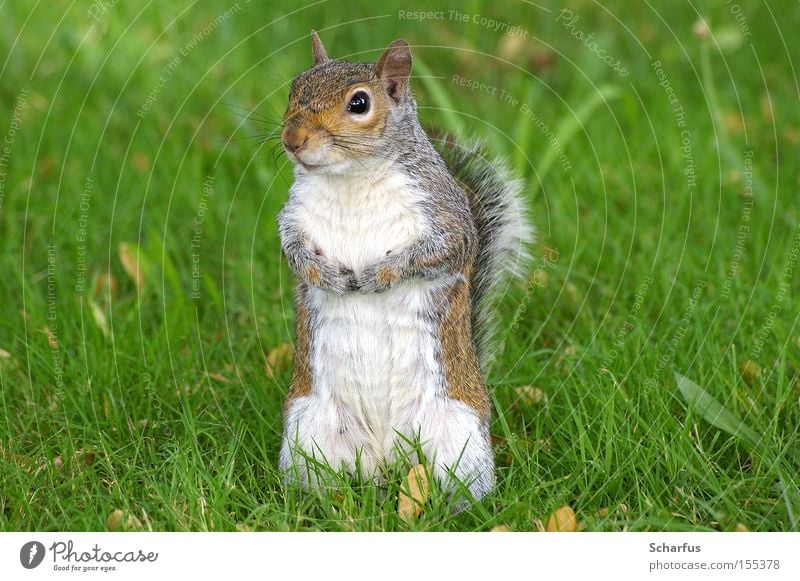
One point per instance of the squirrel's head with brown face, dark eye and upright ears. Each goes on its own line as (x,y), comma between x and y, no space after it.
(343,114)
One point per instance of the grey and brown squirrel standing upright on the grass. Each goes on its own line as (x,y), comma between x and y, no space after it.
(397,248)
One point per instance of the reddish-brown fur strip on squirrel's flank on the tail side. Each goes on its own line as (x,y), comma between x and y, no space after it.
(464,381)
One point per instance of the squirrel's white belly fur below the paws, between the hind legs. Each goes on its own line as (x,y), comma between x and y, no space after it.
(374,357)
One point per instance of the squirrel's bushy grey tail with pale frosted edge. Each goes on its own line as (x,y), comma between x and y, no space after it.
(505,231)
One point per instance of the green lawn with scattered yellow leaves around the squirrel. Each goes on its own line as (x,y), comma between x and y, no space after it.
(639,274)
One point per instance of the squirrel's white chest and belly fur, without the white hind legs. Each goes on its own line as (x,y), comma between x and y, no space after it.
(373,356)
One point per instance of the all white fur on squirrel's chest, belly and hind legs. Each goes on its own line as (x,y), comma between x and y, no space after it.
(377,378)
